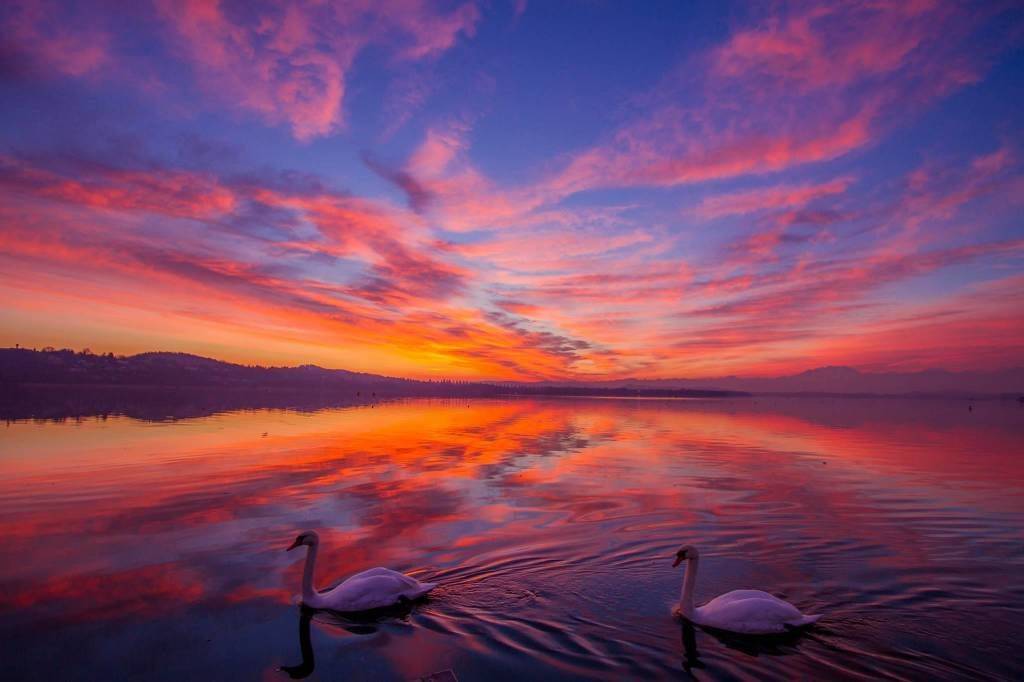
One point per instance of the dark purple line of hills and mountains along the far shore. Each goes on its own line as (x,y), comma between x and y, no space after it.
(22,366)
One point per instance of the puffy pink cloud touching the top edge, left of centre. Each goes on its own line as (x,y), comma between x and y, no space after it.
(290,66)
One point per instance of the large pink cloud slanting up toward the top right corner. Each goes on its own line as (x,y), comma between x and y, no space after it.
(809,89)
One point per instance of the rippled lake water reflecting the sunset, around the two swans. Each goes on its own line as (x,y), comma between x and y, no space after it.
(154,550)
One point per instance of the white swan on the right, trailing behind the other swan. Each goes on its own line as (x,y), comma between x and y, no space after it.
(745,612)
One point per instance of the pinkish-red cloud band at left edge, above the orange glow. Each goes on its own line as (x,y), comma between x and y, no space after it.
(400,264)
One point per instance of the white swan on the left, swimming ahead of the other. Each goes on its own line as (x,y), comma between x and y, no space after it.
(375,588)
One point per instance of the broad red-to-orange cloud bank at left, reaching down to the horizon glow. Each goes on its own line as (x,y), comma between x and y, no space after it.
(401,306)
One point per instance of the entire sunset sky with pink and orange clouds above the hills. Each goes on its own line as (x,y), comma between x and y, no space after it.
(518,190)
